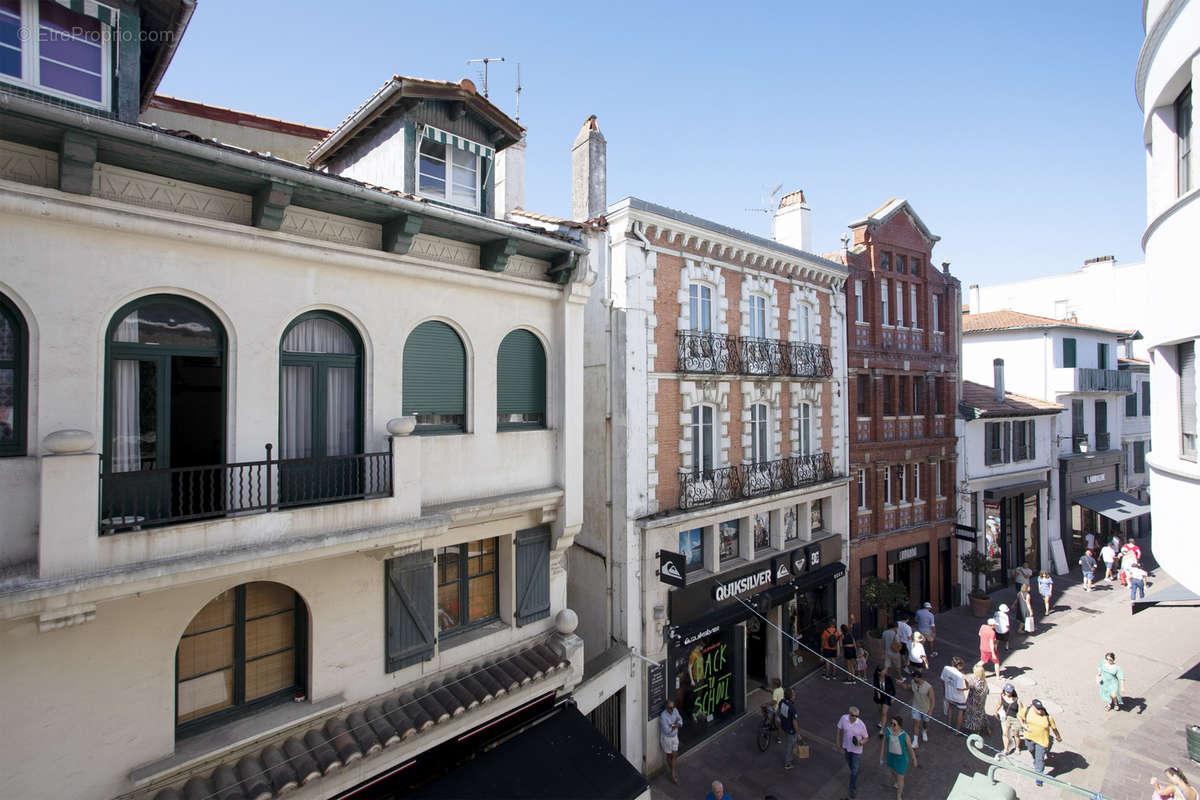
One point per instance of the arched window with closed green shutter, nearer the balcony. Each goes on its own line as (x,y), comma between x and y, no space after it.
(435,376)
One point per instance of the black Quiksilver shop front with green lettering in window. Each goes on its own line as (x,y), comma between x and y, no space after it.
(718,646)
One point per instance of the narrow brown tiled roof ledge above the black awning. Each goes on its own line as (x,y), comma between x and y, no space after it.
(387,721)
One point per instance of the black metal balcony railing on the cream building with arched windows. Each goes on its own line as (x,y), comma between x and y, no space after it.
(159,497)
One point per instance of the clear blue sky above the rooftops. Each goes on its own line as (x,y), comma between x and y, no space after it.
(1012,129)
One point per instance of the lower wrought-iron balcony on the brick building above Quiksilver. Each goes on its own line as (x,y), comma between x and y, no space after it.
(724,485)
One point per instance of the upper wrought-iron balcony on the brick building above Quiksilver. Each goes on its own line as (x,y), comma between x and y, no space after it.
(717,354)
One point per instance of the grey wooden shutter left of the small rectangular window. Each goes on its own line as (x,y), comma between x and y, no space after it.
(409,604)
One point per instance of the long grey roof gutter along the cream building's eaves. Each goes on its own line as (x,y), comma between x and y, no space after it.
(284,172)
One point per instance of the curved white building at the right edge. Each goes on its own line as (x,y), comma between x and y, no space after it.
(1166,80)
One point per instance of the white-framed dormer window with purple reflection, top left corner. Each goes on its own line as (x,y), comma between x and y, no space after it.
(52,50)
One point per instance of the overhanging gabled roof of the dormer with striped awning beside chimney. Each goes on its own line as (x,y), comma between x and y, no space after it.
(406,93)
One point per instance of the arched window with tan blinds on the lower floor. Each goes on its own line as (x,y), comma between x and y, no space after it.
(244,651)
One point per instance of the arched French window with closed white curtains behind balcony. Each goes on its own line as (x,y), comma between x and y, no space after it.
(321,388)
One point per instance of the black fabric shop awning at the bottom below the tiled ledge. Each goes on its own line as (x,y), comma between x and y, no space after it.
(560,757)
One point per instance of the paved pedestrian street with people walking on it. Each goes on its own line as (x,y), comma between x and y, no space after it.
(1113,753)
